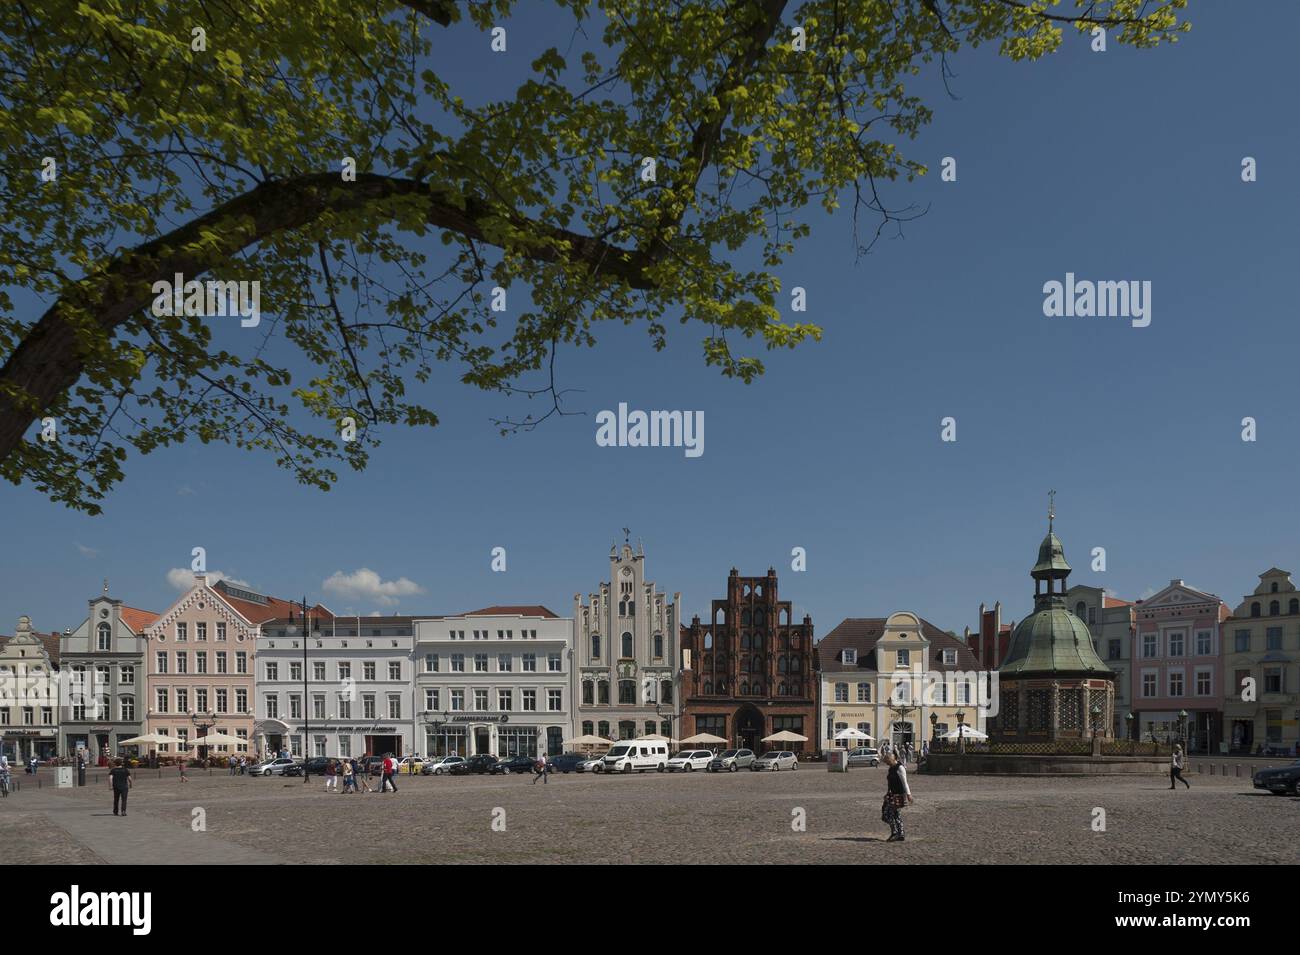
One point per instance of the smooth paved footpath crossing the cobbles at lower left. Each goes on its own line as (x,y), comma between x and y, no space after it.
(80,826)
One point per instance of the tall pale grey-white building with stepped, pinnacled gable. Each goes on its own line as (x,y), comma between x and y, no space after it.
(627,637)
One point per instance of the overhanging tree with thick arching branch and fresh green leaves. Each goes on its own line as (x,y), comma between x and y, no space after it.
(148,138)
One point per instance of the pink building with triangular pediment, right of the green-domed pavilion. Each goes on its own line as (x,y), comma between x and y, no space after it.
(1178,666)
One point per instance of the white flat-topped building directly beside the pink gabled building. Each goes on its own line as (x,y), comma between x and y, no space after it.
(344,689)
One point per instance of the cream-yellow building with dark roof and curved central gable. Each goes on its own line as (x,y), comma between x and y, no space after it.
(898,679)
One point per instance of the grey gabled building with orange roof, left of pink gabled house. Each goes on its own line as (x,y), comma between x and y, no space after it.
(105,663)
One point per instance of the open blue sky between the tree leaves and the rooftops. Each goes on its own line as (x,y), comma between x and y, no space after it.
(1119,166)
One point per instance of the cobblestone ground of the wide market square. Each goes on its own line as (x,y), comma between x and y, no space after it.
(687,818)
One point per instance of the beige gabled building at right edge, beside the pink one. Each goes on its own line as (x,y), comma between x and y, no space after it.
(1262,646)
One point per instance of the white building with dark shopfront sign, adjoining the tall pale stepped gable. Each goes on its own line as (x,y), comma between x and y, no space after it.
(496,681)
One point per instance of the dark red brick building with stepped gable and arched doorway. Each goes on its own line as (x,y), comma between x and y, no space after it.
(751,671)
